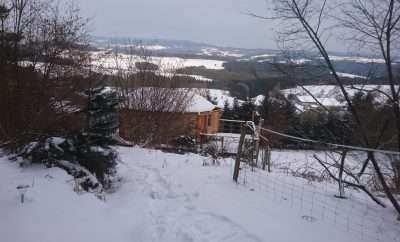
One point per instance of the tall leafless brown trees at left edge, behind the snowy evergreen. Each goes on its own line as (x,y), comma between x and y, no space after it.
(40,75)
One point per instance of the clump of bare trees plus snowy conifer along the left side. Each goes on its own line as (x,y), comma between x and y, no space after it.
(53,108)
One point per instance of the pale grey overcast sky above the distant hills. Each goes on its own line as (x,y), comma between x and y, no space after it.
(219,22)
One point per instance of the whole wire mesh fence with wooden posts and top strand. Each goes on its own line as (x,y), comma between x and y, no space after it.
(334,184)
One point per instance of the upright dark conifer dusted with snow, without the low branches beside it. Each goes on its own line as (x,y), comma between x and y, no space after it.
(93,145)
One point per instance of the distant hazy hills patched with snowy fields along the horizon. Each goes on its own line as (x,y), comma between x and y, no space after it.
(251,64)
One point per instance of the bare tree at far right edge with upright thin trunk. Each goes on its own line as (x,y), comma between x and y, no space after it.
(375,24)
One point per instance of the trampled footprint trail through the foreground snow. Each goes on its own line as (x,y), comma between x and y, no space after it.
(174,216)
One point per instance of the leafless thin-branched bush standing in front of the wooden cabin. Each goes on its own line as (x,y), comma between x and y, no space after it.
(154,105)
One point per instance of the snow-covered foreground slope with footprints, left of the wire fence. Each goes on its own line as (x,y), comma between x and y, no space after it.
(161,197)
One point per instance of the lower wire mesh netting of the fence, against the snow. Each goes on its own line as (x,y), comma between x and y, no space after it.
(316,201)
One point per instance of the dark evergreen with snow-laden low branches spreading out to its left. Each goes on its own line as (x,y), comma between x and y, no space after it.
(88,155)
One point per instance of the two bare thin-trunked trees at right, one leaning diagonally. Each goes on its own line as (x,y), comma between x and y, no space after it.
(305,21)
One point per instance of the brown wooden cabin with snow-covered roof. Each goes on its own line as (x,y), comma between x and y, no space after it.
(146,113)
